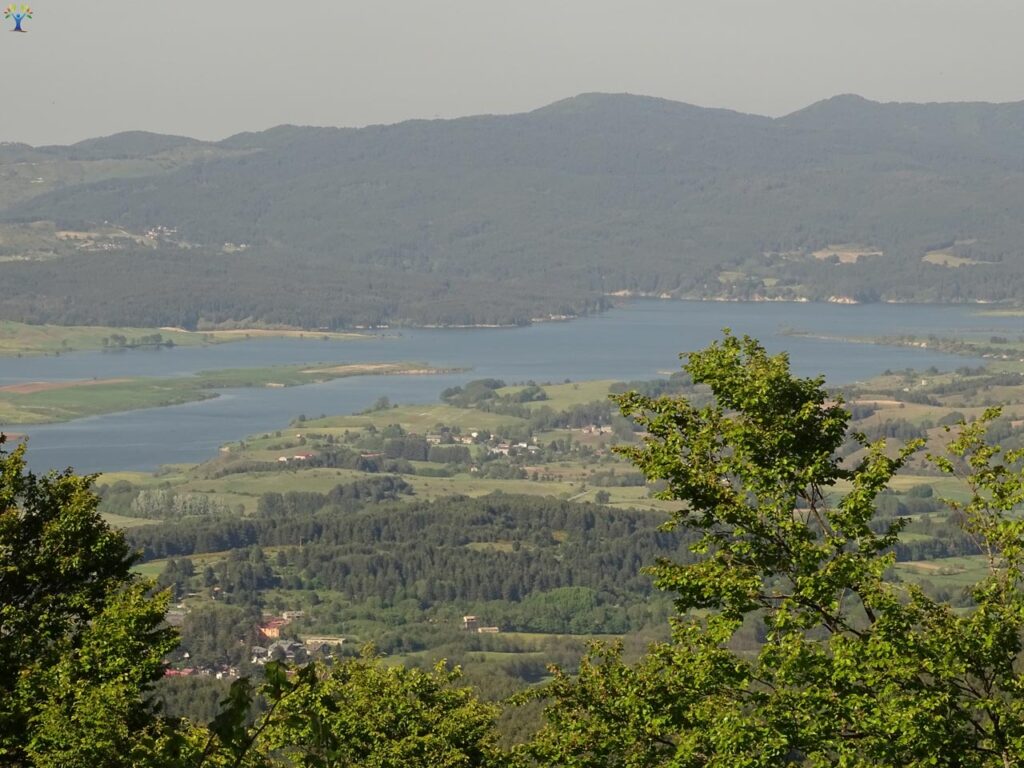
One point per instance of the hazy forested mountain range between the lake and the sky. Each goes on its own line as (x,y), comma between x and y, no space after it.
(504,220)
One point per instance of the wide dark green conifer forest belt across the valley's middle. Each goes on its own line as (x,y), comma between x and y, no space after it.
(449,551)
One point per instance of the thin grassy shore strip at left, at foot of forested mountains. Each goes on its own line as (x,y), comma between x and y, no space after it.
(20,339)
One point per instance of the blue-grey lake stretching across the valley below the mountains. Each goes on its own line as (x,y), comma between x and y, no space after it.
(642,340)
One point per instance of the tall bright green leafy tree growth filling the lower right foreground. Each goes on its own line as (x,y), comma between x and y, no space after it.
(856,670)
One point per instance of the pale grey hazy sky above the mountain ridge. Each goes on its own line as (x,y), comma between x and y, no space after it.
(221,67)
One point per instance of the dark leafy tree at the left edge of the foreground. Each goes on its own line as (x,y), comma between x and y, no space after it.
(80,638)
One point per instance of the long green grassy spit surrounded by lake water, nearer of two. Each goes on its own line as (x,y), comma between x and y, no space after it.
(53,402)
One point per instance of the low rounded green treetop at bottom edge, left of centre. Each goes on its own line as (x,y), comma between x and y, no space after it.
(356,713)
